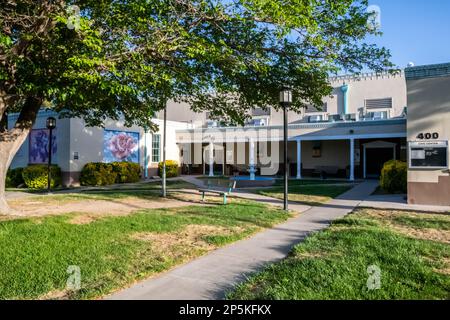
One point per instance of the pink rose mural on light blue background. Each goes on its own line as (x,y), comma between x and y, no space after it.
(120,146)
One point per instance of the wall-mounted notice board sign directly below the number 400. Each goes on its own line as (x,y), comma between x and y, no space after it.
(428,154)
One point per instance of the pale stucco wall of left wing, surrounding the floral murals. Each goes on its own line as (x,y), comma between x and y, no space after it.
(73,136)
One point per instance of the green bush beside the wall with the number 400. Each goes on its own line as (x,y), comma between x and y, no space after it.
(394,177)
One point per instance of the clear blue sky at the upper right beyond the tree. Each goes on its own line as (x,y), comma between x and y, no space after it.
(415,30)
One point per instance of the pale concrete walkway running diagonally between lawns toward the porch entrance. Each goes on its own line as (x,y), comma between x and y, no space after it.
(211,276)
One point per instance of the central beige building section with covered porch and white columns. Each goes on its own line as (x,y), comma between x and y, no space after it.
(361,126)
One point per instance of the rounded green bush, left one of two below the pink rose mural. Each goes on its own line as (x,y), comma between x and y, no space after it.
(97,174)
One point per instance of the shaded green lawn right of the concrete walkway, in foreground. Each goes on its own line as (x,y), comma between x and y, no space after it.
(333,264)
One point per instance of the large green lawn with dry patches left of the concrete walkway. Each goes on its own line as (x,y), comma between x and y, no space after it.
(114,251)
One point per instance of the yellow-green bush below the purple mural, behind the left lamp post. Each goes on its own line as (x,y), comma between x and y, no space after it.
(36,176)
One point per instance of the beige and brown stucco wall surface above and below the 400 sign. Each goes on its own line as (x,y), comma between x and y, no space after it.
(428,111)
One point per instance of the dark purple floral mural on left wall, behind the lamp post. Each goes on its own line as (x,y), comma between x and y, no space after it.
(38,146)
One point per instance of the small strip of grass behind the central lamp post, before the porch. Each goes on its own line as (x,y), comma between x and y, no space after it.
(312,195)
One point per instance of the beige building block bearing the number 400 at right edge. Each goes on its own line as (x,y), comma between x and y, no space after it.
(428,134)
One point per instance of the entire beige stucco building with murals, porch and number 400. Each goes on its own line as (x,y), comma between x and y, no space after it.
(369,119)
